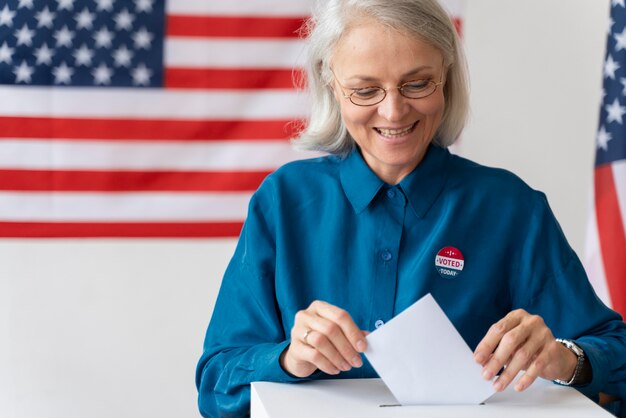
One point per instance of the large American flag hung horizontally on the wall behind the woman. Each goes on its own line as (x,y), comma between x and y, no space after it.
(144,118)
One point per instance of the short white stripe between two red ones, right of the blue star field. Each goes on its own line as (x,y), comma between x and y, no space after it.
(229,53)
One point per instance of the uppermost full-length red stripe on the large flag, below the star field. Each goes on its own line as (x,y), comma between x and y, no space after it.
(123,129)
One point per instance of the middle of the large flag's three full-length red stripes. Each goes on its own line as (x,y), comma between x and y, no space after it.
(128,181)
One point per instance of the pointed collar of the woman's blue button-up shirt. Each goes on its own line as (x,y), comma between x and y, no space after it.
(421,187)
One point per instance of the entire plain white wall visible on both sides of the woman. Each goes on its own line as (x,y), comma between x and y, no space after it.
(100,328)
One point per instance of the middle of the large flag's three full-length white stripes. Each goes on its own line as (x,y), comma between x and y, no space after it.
(35,154)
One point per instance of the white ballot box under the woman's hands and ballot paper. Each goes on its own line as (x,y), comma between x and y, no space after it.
(368,398)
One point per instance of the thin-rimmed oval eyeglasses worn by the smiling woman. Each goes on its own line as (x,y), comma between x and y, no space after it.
(369,96)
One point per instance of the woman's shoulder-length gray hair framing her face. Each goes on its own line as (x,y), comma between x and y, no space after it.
(425,19)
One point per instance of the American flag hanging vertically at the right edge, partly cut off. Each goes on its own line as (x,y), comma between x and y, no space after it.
(606,246)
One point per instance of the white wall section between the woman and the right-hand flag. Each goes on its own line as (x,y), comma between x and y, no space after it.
(536,72)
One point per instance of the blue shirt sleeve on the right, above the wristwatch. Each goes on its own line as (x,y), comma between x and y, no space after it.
(560,292)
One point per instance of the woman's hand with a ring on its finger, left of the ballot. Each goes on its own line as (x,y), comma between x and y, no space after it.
(323,337)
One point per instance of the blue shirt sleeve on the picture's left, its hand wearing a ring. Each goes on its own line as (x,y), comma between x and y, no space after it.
(245,337)
